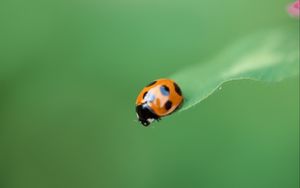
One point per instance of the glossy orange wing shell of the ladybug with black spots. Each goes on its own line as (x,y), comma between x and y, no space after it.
(163,96)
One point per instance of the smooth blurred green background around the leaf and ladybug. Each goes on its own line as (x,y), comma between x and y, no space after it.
(69,75)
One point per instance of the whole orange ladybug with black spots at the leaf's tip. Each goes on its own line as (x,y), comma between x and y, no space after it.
(158,99)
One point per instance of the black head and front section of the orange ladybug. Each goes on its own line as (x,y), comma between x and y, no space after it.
(145,115)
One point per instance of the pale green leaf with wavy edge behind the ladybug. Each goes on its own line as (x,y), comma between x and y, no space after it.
(266,56)
